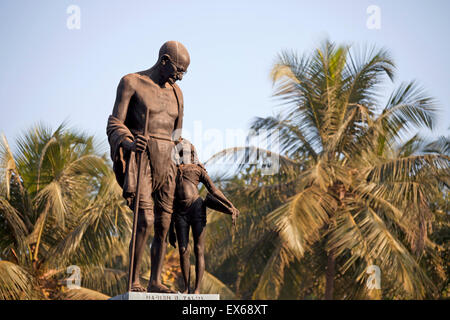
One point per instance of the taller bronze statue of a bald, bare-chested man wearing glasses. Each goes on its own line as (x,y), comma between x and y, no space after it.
(150,94)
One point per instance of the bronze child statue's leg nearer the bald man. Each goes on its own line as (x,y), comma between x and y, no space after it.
(182,231)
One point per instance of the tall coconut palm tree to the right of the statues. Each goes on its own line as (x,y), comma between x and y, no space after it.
(352,183)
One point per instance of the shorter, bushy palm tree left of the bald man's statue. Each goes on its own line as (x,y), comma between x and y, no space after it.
(60,206)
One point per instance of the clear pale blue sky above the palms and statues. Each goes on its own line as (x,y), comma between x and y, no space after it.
(50,73)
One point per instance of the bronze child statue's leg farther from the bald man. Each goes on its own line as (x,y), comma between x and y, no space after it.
(199,232)
